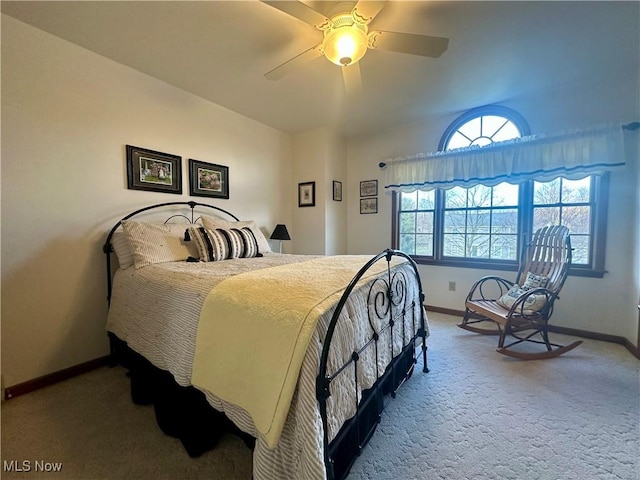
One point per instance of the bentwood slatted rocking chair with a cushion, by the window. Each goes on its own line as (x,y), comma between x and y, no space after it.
(522,309)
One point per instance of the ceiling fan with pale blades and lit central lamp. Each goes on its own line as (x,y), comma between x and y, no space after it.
(347,37)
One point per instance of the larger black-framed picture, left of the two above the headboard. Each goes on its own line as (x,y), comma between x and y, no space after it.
(153,171)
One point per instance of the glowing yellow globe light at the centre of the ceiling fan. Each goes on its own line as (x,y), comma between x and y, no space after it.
(345,45)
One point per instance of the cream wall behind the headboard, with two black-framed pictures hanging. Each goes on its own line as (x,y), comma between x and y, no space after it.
(67,115)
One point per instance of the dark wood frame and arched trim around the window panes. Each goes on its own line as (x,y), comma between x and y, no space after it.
(599,191)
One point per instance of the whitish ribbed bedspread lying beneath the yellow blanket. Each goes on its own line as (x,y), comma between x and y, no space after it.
(155,310)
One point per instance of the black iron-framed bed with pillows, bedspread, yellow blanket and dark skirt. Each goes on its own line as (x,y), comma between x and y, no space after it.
(196,338)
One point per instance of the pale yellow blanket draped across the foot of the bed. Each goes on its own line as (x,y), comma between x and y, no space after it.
(254,330)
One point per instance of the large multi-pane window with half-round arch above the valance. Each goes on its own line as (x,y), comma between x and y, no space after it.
(486,225)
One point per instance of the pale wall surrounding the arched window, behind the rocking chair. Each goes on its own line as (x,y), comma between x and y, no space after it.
(606,305)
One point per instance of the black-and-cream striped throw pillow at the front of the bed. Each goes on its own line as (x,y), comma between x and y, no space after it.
(223,244)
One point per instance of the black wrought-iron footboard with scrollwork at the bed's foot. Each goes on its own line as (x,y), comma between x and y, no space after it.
(386,306)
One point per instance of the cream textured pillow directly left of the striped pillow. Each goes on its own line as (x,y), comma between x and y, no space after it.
(157,243)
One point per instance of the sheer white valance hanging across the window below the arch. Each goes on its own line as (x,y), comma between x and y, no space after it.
(573,154)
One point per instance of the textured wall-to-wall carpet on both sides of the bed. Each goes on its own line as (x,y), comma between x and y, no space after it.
(477,415)
